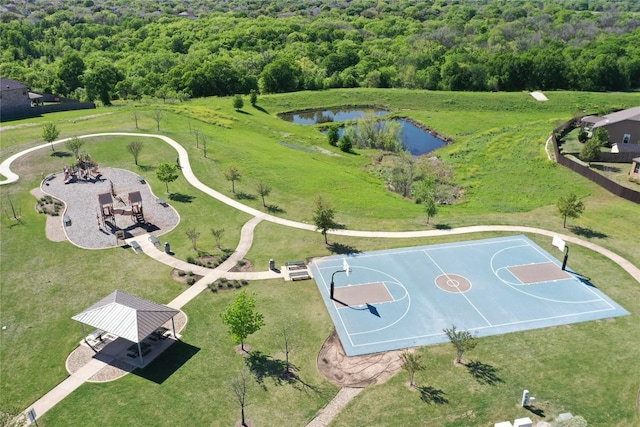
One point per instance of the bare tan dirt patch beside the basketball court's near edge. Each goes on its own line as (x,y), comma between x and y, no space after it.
(356,371)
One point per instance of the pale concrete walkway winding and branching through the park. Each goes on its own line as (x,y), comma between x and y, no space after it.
(210,275)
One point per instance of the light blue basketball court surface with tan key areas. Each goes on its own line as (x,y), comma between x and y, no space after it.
(401,298)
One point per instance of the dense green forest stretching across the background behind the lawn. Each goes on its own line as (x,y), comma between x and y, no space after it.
(110,49)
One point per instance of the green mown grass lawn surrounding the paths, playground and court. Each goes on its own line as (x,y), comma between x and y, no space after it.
(498,157)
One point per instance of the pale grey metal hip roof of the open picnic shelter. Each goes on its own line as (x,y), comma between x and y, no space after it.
(126,316)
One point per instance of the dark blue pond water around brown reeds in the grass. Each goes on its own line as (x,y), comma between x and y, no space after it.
(416,140)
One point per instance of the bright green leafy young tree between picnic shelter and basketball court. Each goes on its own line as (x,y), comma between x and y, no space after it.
(241,318)
